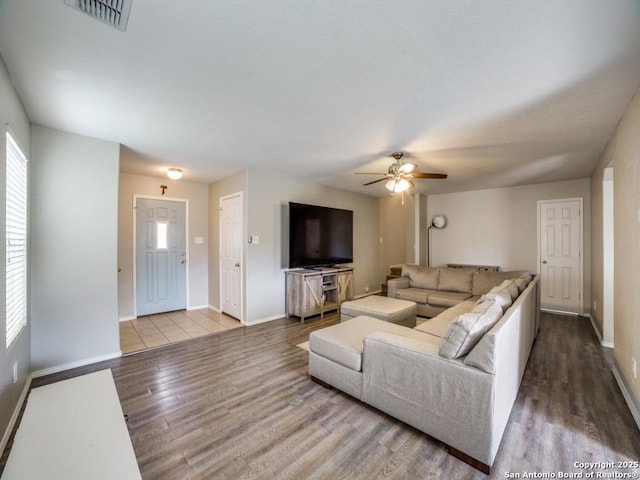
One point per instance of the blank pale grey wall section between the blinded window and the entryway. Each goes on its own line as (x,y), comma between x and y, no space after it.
(74,218)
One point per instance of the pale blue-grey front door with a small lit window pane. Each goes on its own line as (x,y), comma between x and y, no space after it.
(160,256)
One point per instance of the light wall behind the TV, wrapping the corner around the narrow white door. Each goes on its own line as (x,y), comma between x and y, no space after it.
(266,198)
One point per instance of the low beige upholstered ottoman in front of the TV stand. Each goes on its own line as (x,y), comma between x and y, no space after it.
(393,310)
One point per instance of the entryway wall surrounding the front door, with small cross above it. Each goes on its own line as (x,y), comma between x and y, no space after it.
(197,195)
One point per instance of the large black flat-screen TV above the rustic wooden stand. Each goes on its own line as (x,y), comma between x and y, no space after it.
(319,236)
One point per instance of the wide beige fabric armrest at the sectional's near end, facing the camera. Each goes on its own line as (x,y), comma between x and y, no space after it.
(408,379)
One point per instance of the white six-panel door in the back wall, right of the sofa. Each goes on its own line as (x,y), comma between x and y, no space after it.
(560,251)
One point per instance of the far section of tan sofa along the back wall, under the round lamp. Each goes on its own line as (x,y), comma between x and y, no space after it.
(435,289)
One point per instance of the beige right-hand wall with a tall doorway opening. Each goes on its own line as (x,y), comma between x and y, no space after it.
(624,151)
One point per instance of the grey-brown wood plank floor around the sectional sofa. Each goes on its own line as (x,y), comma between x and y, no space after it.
(240,405)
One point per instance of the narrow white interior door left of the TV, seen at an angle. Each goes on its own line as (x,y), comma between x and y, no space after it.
(231,255)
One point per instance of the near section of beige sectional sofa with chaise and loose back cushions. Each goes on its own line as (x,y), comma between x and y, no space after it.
(454,377)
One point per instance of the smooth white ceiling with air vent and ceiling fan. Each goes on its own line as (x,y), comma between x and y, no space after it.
(493,92)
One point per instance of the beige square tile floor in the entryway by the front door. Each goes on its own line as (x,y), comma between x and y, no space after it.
(164,328)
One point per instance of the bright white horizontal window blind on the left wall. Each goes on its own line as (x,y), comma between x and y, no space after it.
(16,238)
